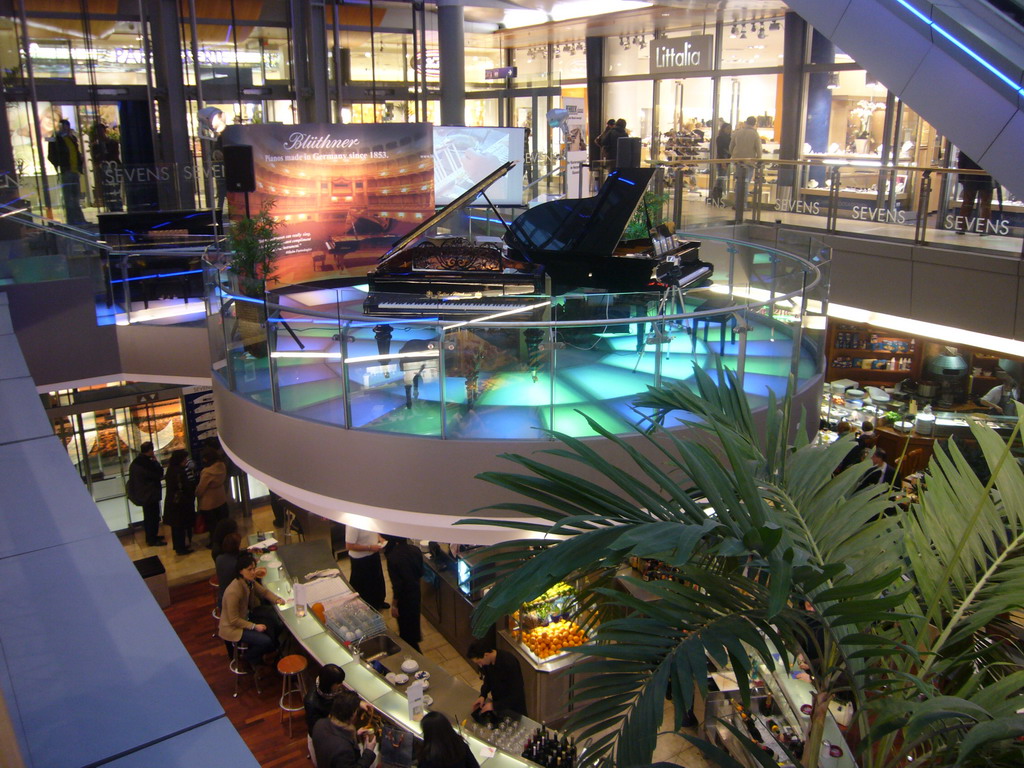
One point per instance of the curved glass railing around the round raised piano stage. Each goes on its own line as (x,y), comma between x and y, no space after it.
(314,355)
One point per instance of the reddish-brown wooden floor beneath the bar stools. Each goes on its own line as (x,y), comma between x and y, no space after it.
(254,715)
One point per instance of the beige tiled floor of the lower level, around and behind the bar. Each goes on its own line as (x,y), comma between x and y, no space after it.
(199,566)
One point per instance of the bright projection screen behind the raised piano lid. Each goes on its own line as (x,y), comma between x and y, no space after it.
(464,155)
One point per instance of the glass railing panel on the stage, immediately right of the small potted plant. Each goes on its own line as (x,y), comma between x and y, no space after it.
(309,355)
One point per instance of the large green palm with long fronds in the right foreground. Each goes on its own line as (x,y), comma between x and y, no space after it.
(899,611)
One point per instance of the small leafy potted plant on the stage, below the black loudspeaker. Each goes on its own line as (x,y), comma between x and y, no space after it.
(253,243)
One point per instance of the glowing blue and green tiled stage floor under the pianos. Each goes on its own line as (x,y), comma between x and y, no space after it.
(600,380)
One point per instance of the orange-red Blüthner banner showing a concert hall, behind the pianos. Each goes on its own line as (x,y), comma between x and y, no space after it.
(344,194)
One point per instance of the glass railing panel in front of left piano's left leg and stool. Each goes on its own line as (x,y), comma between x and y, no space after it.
(394,376)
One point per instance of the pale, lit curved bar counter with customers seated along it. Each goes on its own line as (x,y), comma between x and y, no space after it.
(451,696)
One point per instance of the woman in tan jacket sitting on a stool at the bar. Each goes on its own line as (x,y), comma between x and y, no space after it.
(242,616)
